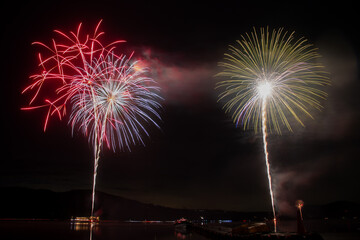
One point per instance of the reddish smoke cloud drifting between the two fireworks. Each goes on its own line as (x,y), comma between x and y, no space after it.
(182,82)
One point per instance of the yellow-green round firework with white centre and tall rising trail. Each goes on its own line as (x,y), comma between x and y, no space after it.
(268,79)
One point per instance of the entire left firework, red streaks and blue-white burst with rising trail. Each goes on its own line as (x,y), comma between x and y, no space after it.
(109,96)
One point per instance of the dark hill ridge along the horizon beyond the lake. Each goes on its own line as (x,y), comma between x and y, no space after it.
(30,203)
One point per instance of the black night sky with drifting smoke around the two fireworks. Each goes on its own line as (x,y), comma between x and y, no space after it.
(198,159)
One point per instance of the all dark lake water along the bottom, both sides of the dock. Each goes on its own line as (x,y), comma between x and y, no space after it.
(57,230)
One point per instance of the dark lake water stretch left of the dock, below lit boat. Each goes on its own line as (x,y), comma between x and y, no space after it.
(53,230)
